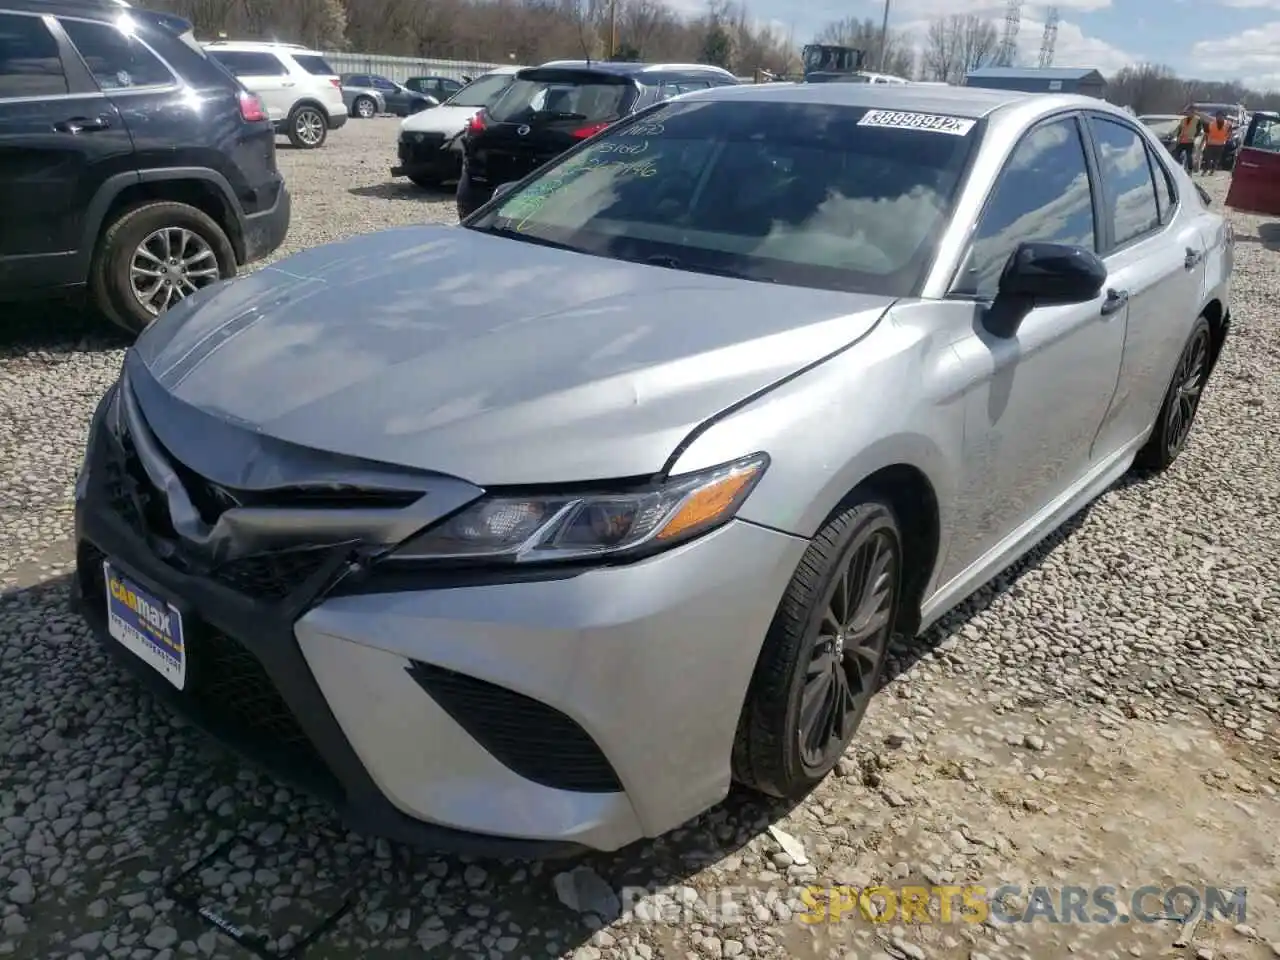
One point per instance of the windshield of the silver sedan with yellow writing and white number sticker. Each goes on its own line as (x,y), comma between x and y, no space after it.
(840,198)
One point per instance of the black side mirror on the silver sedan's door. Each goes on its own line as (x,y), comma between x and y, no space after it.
(1040,276)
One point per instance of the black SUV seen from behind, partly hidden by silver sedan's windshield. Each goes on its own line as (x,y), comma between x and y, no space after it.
(550,109)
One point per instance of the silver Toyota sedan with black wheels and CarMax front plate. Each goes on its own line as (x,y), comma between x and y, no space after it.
(541,532)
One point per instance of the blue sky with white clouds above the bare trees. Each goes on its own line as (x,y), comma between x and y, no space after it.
(1204,39)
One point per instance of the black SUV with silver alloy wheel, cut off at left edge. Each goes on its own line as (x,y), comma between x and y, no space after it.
(130,162)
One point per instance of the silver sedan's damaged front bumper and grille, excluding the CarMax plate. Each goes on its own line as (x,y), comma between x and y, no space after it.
(487,714)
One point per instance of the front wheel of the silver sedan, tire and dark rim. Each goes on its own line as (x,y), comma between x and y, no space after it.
(824,656)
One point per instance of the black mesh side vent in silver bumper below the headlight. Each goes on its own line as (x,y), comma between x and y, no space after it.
(529,738)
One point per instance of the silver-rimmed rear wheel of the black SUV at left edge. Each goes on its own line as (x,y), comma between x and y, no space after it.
(154,257)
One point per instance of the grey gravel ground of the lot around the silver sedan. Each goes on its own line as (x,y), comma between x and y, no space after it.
(1105,715)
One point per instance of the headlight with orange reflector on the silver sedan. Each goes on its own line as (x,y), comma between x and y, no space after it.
(591,525)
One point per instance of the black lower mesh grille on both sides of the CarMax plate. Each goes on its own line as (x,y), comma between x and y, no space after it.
(227,687)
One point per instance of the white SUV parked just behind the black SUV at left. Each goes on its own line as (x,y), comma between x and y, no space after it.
(300,89)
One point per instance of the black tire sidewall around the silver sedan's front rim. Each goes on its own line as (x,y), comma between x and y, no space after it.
(876,518)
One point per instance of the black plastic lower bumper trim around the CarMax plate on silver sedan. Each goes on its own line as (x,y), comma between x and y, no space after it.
(362,806)
